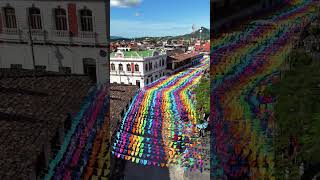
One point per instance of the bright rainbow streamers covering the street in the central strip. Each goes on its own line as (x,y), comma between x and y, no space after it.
(159,126)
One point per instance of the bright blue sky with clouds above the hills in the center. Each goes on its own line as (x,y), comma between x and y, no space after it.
(137,18)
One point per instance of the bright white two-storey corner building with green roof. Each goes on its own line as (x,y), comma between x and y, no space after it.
(137,67)
